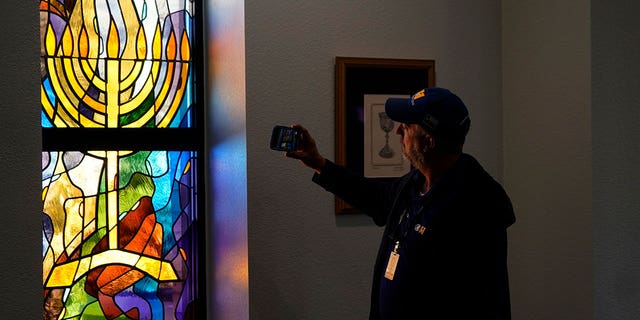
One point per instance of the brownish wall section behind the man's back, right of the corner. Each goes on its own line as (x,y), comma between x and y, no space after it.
(547,156)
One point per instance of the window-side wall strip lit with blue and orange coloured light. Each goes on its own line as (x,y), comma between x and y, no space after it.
(226,142)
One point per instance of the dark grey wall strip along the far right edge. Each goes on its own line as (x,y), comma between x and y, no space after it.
(616,155)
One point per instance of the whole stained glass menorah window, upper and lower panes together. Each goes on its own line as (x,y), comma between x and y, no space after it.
(119,226)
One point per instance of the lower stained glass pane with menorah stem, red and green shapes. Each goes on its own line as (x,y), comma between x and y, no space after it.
(119,234)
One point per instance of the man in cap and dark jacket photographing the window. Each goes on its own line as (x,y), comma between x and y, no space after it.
(444,248)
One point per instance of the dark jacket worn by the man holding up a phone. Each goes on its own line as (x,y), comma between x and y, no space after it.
(458,260)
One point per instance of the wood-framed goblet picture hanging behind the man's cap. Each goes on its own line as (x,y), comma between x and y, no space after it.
(366,142)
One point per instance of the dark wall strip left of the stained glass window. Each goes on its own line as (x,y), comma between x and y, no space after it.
(20,202)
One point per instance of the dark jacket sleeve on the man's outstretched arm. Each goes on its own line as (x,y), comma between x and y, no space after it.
(374,197)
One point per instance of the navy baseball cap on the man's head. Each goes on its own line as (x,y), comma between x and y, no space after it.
(437,110)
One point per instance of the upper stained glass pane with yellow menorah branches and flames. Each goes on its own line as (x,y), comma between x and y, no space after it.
(116,64)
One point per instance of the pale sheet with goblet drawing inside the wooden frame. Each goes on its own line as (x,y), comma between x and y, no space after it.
(382,149)
